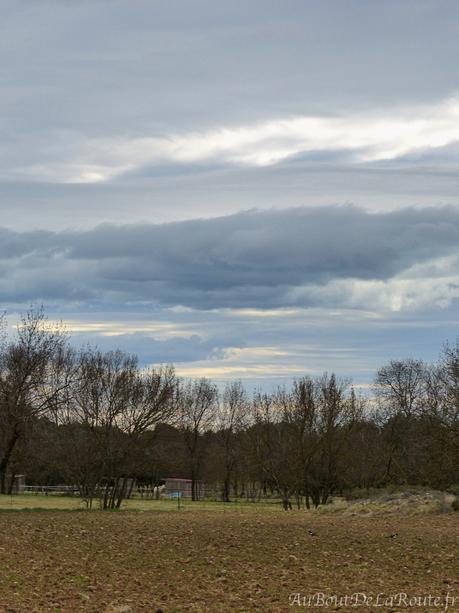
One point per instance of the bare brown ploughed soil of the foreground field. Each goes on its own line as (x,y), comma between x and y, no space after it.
(203,561)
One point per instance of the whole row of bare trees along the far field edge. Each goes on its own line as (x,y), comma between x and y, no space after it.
(94,420)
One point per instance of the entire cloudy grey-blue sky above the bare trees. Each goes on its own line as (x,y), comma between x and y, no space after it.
(254,190)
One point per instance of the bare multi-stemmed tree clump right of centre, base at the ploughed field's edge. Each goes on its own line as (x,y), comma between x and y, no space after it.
(299,437)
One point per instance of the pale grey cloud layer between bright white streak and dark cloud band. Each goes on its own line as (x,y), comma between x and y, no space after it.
(27,205)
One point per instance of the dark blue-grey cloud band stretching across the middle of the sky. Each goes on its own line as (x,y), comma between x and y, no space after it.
(254,258)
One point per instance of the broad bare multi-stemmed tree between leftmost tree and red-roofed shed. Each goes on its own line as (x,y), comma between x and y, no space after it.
(113,403)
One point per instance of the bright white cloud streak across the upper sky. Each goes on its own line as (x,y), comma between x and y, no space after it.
(364,138)
